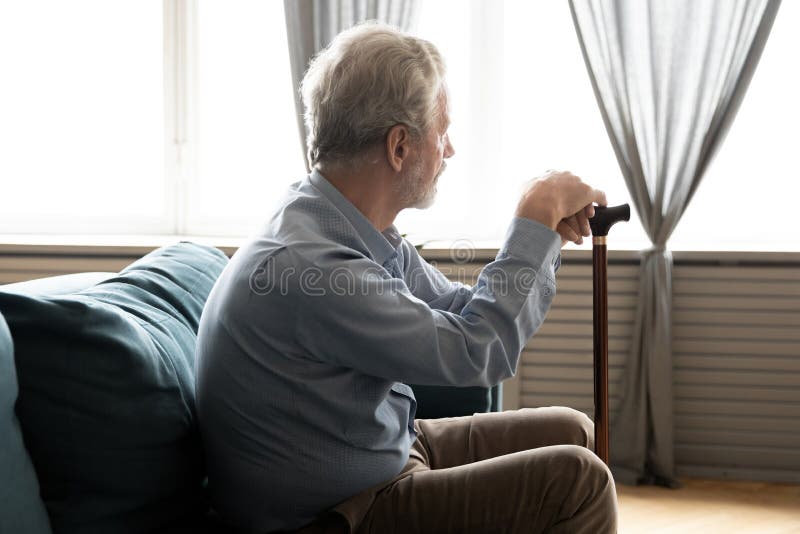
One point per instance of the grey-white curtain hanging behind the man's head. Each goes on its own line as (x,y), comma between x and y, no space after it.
(312,24)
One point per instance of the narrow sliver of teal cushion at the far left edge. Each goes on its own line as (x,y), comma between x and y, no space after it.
(21,508)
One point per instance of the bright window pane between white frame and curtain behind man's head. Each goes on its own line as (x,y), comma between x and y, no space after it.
(248,148)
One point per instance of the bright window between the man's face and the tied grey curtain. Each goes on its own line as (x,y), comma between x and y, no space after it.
(522,105)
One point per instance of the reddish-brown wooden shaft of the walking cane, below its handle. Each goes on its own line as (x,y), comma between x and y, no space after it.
(600,316)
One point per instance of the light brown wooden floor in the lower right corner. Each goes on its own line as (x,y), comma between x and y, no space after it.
(710,507)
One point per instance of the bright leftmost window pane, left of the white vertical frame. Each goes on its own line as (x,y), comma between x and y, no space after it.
(82,124)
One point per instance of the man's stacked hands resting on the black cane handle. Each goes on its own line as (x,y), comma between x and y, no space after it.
(561,201)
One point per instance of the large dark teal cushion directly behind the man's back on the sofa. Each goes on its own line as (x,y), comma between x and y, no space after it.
(106,397)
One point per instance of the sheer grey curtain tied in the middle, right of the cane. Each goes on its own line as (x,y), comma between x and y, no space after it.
(669,77)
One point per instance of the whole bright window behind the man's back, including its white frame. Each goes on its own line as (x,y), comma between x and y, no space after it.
(144,118)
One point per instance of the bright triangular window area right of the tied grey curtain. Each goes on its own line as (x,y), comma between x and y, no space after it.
(748,198)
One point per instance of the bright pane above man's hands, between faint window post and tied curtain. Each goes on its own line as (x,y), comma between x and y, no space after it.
(550,115)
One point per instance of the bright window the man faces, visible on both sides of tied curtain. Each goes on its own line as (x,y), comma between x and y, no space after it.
(522,103)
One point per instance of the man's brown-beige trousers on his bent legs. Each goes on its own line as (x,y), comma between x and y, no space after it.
(528,470)
